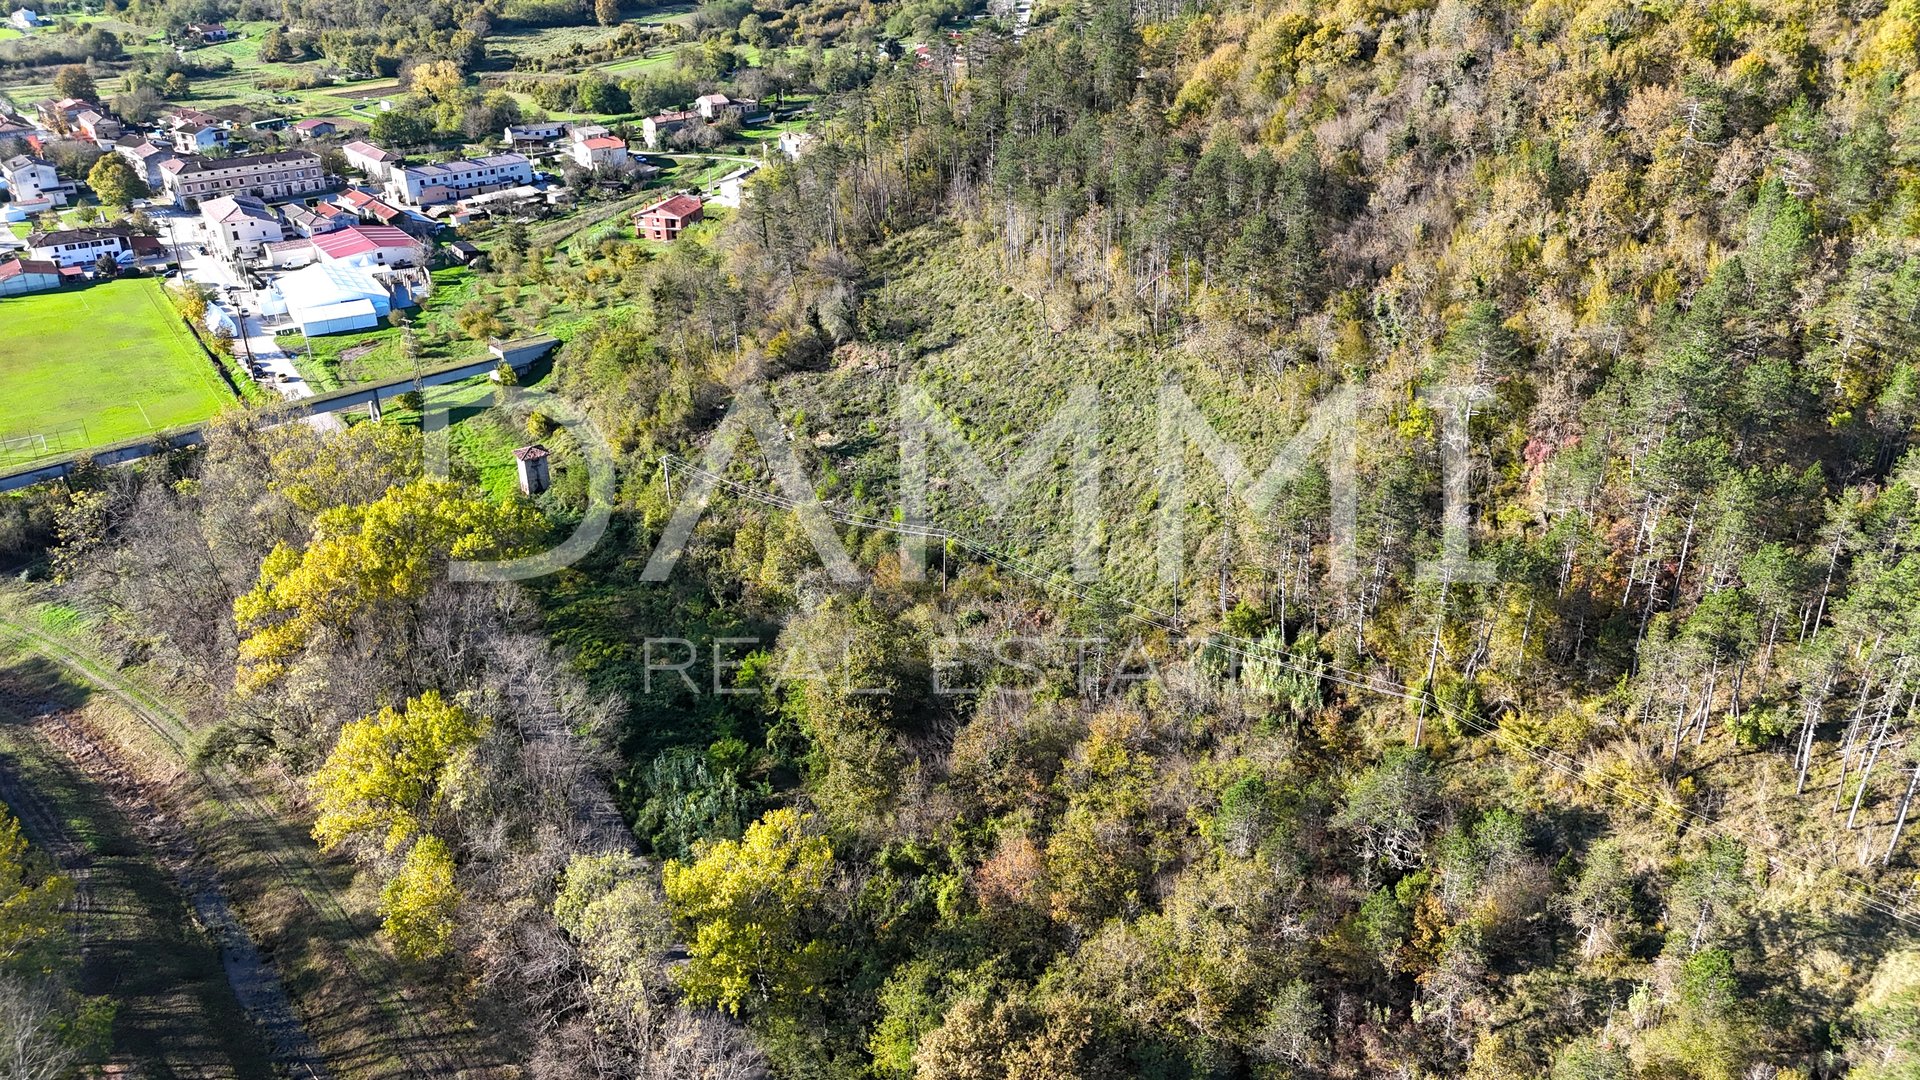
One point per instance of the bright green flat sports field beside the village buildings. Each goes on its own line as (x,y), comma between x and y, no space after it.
(99,364)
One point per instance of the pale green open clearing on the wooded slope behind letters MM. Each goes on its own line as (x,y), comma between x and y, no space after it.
(990,343)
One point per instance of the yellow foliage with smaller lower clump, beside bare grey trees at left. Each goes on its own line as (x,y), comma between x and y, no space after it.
(389,775)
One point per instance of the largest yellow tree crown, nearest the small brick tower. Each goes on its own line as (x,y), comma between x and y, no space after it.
(370,560)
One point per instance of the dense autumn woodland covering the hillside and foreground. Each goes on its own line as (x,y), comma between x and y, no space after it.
(1635,806)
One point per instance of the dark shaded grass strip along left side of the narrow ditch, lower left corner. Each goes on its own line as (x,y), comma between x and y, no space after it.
(176,1014)
